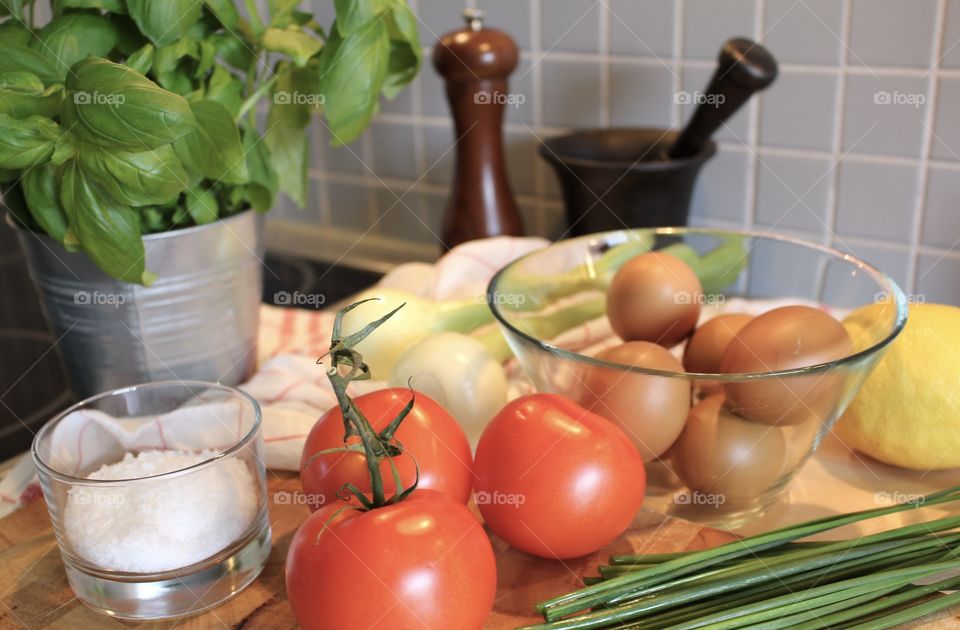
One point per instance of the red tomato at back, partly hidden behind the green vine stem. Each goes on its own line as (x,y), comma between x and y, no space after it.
(428,433)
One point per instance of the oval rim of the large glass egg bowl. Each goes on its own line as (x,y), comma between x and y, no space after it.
(892,288)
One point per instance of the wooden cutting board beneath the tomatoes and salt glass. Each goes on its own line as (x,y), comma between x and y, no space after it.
(34,592)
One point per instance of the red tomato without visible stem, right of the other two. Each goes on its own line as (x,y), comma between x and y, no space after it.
(556,480)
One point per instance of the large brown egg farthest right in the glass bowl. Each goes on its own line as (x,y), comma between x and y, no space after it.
(786,338)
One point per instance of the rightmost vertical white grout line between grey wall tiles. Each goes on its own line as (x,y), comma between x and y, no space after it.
(923,172)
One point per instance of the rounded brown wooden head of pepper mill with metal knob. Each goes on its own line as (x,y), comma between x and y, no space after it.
(475,52)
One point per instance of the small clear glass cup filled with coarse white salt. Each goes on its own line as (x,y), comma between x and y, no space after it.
(157,497)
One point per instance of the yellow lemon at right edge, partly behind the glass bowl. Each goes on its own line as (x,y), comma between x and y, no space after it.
(908,411)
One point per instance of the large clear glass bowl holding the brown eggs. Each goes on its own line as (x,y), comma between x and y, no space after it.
(721,465)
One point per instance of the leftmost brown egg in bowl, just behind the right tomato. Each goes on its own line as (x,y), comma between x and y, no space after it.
(650,409)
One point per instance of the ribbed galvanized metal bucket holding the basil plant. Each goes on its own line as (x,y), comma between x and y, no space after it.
(198,321)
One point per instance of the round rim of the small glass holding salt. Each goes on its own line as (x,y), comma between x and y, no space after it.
(83,481)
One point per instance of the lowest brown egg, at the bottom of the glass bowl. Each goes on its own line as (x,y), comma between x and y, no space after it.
(719,453)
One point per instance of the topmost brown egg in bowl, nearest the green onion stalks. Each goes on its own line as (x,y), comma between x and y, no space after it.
(654,297)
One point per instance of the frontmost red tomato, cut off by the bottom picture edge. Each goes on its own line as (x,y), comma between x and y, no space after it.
(425,562)
